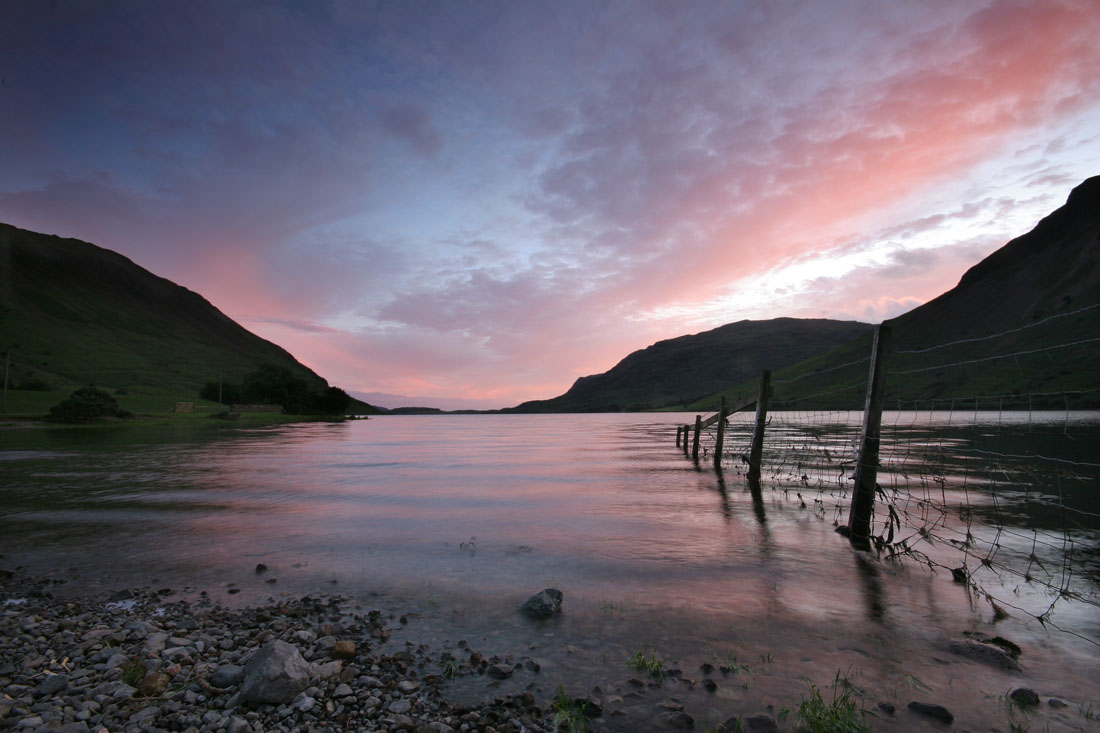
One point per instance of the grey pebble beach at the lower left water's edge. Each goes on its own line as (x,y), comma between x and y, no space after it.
(144,661)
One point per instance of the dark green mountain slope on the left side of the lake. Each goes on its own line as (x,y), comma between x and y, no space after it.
(73,314)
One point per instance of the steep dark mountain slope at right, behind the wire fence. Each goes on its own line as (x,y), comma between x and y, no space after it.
(1020,331)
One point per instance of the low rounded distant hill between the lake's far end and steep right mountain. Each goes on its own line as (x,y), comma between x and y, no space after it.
(681,370)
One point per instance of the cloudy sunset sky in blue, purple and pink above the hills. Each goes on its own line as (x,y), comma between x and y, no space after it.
(466,204)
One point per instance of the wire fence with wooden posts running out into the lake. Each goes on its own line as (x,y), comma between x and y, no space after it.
(997,488)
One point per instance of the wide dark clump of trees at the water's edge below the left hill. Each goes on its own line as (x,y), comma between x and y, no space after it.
(277,386)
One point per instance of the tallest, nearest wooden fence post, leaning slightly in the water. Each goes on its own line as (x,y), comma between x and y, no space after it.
(863,500)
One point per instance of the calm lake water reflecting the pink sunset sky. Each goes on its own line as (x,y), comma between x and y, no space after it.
(460,518)
